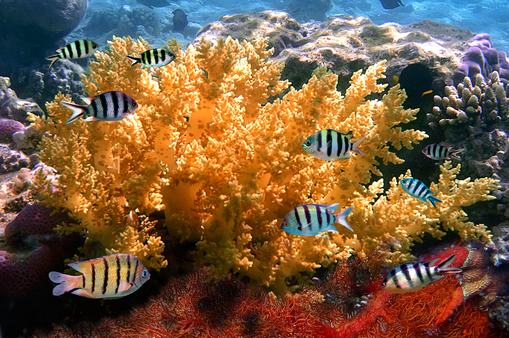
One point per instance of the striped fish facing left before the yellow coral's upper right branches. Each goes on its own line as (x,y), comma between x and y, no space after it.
(330,145)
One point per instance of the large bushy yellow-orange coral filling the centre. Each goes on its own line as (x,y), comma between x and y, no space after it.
(226,165)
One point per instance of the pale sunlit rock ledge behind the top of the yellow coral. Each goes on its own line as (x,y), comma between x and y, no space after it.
(345,44)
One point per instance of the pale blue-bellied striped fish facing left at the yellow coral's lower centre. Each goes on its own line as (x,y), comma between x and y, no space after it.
(311,219)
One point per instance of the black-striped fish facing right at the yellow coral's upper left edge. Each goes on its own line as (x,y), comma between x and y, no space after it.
(109,106)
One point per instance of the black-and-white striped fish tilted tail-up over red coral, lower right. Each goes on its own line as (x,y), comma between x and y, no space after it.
(414,276)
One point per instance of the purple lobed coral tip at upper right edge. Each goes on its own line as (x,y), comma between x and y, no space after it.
(482,58)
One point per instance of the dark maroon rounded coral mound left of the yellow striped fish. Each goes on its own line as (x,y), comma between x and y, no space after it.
(31,250)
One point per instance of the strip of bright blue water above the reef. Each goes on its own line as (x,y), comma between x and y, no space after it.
(478,16)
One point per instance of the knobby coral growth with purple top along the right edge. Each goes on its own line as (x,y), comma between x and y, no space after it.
(473,115)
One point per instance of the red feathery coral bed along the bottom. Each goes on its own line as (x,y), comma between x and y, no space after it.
(347,303)
